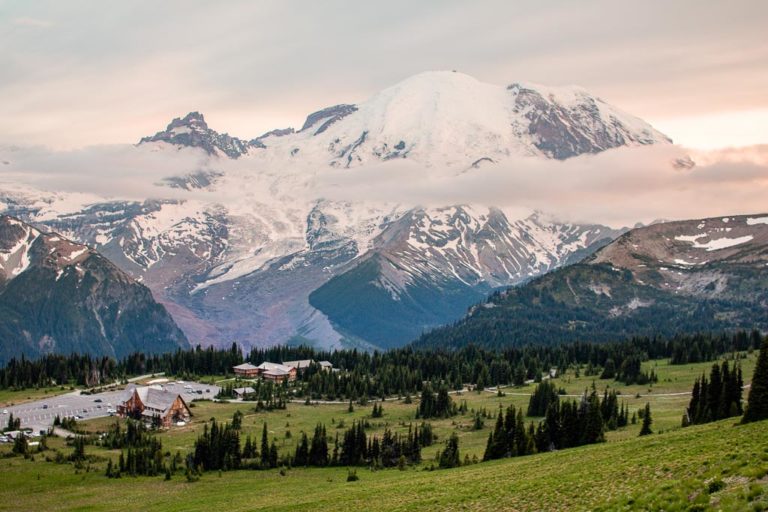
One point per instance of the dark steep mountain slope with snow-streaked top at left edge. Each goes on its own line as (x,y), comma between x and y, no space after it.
(59,296)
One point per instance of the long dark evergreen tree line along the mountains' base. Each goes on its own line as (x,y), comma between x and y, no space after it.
(393,373)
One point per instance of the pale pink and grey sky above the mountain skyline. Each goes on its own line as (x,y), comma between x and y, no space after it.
(78,73)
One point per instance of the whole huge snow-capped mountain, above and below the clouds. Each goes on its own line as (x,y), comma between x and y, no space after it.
(255,254)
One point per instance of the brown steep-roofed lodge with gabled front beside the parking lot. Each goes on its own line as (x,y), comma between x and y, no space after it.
(150,402)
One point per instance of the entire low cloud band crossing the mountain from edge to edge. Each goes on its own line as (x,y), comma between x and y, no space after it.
(617,187)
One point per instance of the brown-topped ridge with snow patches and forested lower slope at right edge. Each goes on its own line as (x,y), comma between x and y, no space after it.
(698,275)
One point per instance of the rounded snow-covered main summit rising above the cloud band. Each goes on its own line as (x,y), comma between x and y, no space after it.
(449,118)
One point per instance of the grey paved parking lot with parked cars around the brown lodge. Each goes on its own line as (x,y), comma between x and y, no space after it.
(39,415)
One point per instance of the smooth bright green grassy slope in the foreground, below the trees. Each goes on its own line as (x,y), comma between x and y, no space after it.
(670,471)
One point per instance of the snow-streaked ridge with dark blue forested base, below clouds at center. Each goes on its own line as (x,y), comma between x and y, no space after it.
(427,268)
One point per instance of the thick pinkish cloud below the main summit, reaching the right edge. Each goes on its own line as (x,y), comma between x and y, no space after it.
(617,187)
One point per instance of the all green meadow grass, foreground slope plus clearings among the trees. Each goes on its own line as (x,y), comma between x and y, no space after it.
(627,472)
